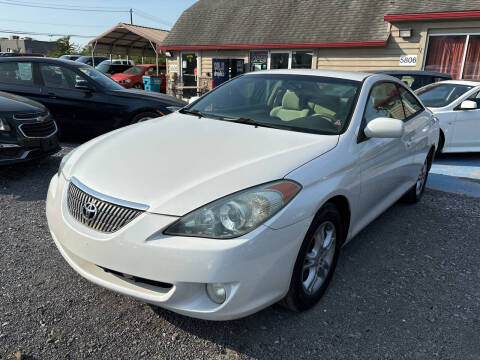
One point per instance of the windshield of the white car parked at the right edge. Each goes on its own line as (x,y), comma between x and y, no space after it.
(441,94)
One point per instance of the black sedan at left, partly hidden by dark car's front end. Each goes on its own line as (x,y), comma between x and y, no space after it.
(83,101)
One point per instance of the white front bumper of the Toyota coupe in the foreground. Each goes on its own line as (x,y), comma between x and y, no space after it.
(171,271)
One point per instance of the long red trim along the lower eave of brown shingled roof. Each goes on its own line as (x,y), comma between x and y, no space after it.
(278,46)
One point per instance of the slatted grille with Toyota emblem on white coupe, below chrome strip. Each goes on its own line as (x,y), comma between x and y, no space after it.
(98,214)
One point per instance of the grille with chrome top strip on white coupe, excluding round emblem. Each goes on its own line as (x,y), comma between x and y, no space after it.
(110,216)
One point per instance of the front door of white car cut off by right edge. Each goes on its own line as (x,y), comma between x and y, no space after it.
(466,127)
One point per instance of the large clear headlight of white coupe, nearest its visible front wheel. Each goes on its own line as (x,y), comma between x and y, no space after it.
(236,214)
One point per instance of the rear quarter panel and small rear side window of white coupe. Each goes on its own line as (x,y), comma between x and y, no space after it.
(417,121)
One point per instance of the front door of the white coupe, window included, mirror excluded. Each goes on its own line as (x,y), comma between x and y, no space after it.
(384,164)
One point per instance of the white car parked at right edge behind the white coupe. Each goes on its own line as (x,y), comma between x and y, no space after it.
(456,104)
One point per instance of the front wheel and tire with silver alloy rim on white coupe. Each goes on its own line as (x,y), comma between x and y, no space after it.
(306,287)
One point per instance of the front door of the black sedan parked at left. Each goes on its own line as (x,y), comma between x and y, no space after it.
(71,106)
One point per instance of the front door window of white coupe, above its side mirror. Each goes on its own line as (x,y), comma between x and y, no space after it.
(384,101)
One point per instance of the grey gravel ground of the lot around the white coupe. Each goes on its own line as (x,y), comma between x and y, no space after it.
(406,288)
